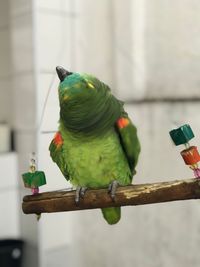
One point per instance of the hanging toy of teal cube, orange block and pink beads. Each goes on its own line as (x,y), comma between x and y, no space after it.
(190,155)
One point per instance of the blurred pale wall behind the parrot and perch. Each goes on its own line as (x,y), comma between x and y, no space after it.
(148,52)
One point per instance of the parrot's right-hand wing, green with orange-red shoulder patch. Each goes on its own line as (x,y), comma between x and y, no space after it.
(129,140)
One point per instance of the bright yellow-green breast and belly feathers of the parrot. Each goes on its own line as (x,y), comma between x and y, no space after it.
(94,162)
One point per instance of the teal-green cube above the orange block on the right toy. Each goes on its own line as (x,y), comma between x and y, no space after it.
(181,135)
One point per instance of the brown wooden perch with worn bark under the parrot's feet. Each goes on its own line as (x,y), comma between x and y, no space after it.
(57,201)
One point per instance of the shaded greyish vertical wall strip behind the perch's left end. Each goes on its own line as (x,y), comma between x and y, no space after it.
(24,110)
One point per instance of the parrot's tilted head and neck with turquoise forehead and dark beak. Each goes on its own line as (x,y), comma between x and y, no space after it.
(86,103)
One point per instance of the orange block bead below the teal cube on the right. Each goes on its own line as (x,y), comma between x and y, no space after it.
(190,155)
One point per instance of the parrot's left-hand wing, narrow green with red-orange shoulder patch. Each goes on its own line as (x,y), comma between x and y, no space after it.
(57,154)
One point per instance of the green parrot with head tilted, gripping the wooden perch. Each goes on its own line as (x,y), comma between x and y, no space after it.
(96,145)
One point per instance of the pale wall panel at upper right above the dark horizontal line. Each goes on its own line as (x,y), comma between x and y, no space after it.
(172,48)
